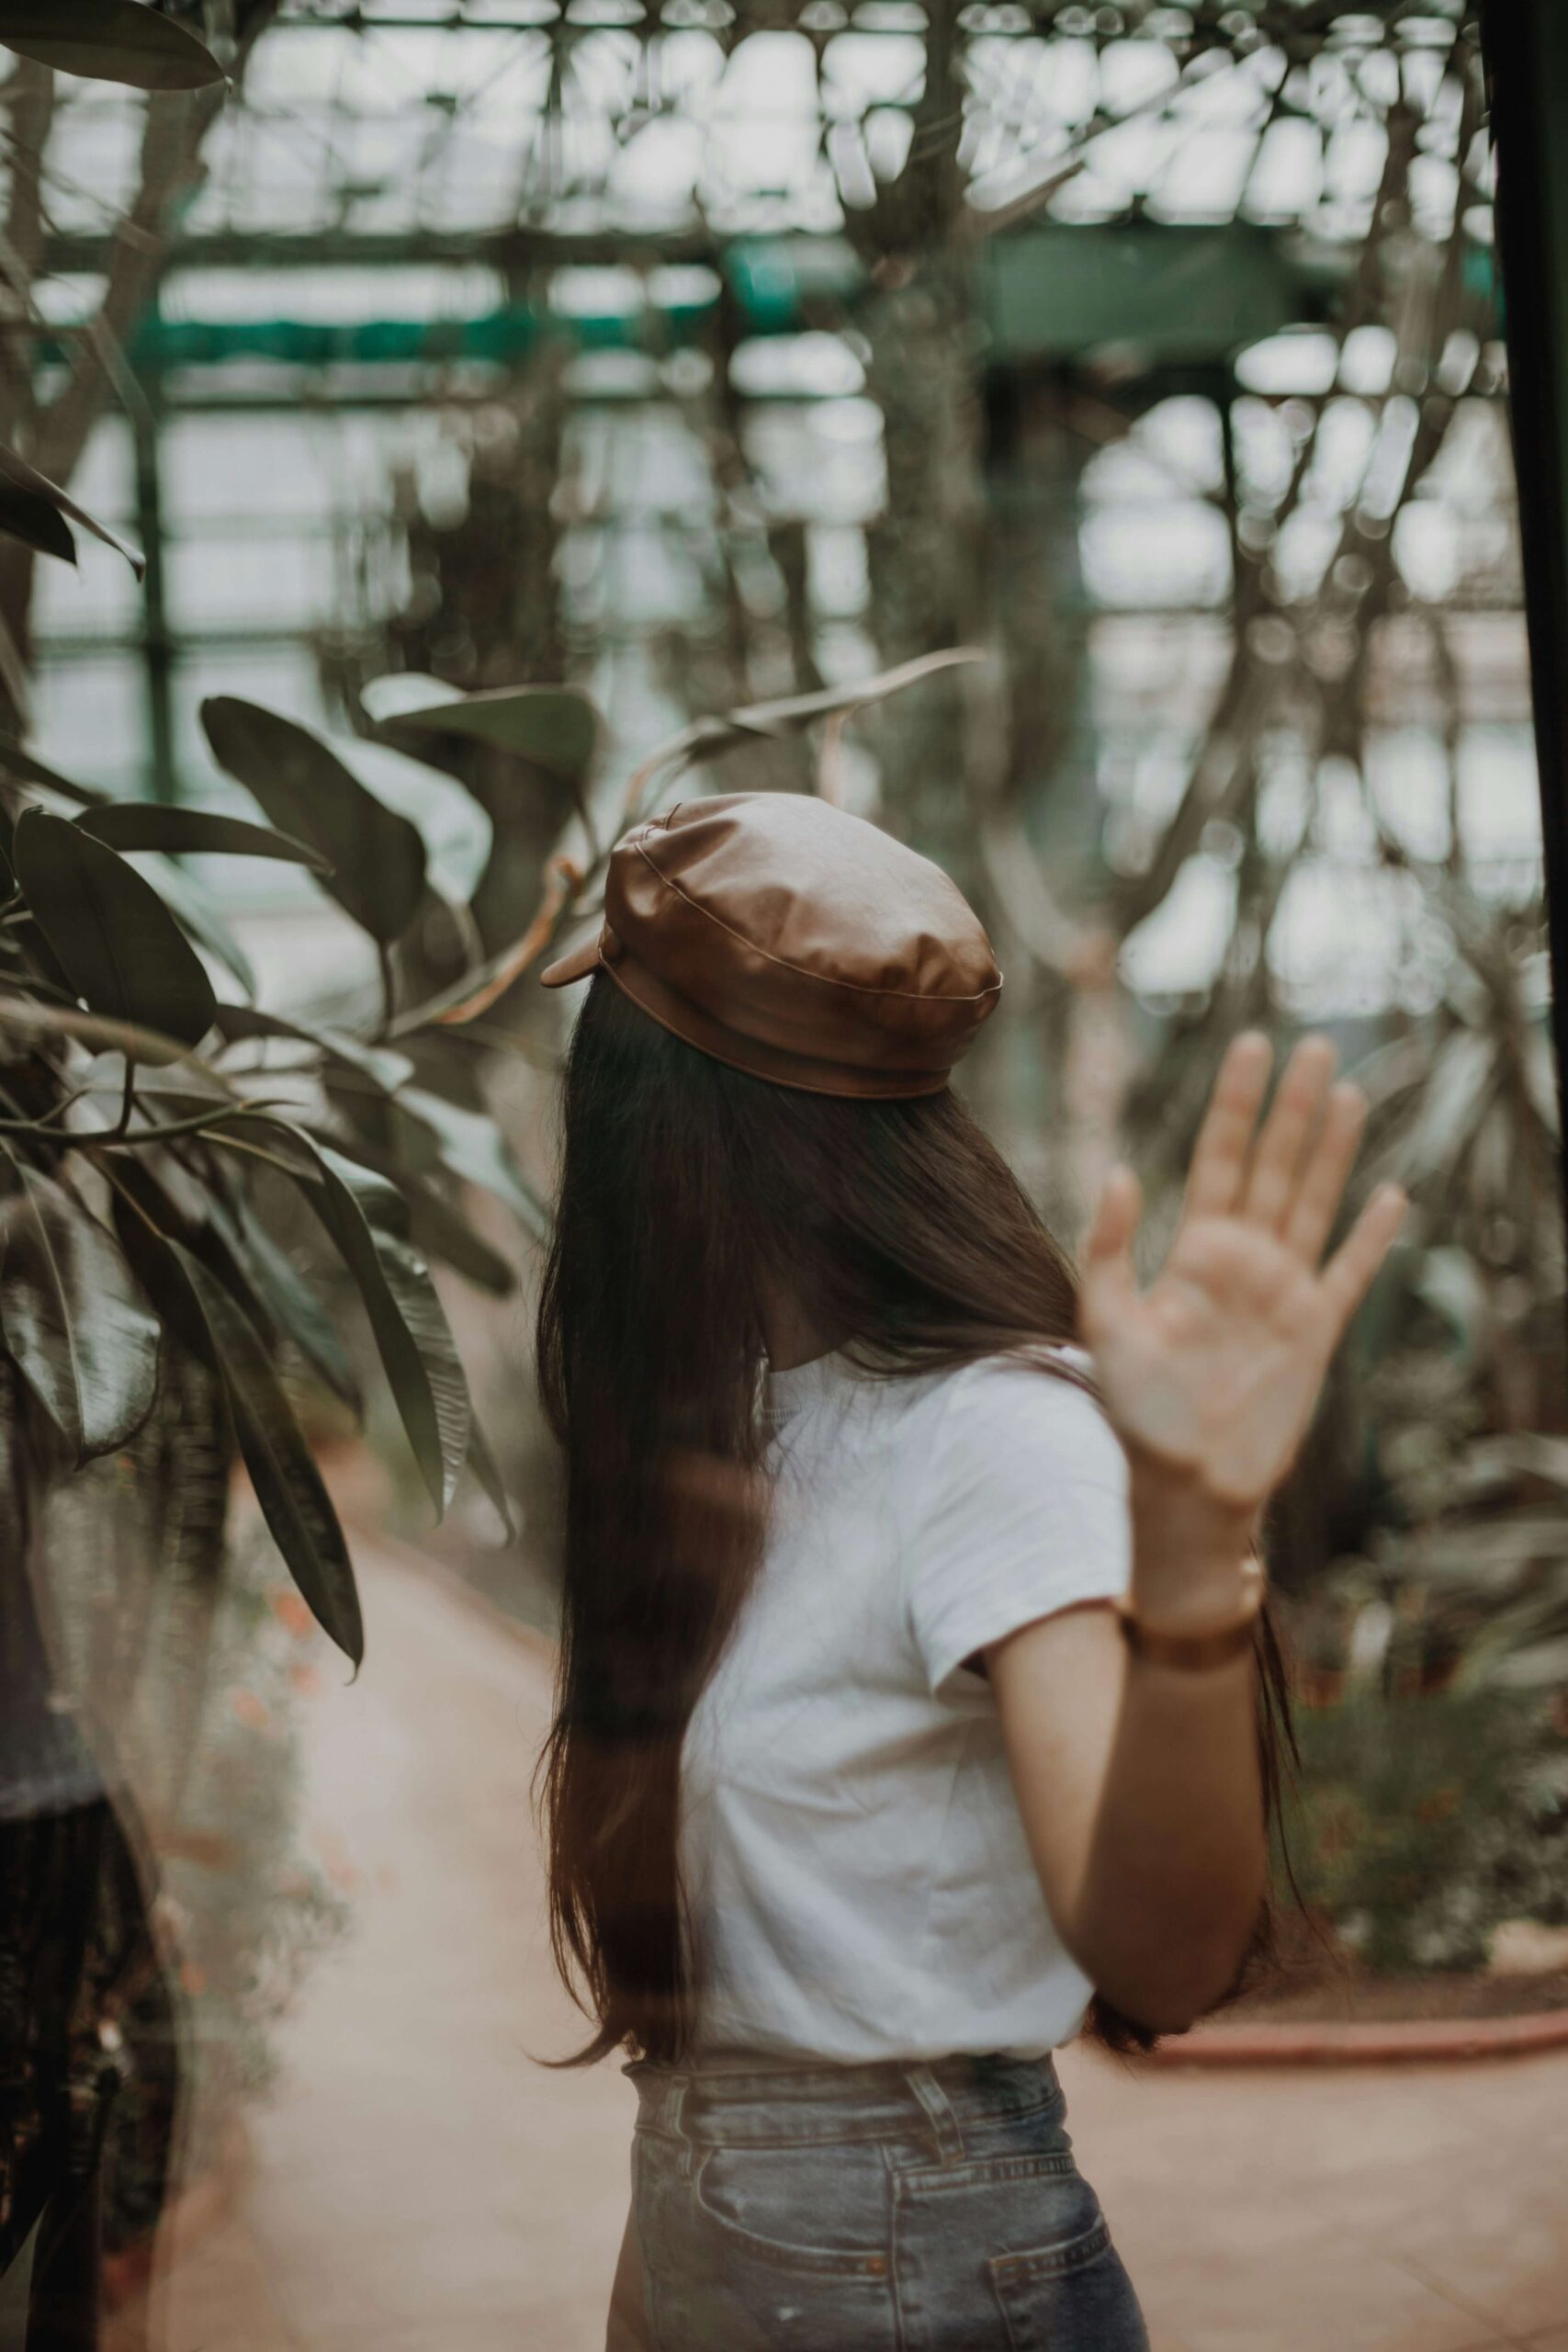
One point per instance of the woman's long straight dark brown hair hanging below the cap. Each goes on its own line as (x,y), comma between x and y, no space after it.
(690,1194)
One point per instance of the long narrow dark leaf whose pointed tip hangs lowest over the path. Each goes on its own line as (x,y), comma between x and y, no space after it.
(290,1490)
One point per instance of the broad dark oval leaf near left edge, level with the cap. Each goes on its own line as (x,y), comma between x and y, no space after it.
(112,933)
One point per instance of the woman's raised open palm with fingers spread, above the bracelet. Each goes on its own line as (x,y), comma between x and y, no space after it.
(1214,1372)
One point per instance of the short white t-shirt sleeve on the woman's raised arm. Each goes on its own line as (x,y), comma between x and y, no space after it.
(1019,1511)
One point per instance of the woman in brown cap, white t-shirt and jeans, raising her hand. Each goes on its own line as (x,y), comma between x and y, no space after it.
(916,1688)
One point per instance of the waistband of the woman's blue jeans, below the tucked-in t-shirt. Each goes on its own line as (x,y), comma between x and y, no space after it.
(803,2104)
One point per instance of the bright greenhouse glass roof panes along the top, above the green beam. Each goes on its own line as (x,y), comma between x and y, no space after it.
(427,121)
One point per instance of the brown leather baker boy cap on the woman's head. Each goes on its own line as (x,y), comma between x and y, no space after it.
(793,942)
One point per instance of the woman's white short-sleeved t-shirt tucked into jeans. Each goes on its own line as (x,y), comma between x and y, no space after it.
(852,1847)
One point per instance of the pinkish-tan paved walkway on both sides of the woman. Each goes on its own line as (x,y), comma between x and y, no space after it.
(424,2186)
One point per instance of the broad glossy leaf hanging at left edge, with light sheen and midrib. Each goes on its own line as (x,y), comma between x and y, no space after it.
(74,1318)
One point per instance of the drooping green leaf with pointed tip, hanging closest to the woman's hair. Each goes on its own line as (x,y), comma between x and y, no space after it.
(366,1215)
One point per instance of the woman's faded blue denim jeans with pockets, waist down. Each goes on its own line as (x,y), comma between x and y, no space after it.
(871,2210)
